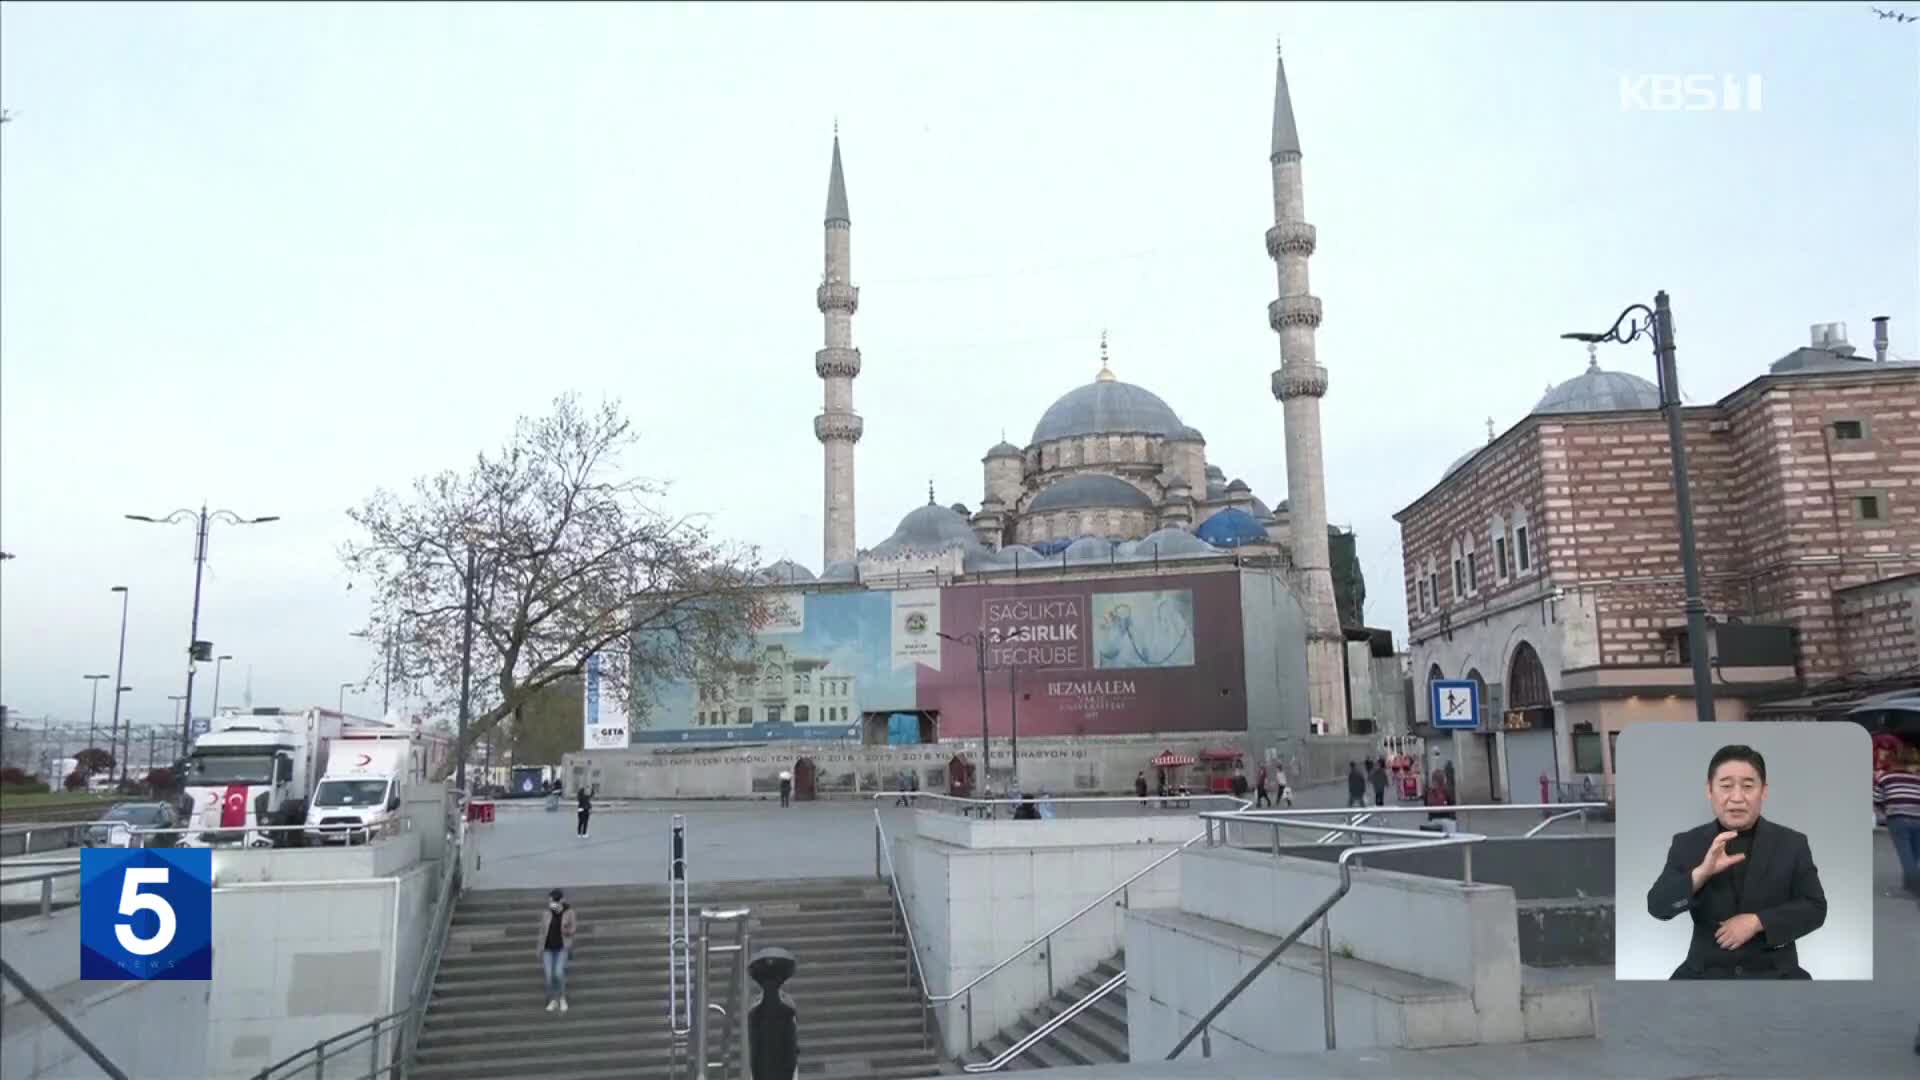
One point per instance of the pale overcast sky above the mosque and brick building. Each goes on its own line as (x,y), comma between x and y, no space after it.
(274,258)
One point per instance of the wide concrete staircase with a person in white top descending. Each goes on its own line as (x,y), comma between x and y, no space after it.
(859,1016)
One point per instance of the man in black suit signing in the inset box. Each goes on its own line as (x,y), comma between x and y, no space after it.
(1748,883)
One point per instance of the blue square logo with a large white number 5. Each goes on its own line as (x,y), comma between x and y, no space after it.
(147,914)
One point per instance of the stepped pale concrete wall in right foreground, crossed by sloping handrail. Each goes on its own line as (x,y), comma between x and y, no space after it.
(1451,954)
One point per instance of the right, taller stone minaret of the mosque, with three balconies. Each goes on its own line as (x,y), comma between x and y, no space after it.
(1299,385)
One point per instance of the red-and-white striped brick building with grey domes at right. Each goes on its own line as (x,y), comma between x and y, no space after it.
(1547,564)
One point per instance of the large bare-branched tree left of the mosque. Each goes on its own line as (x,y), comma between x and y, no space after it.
(554,556)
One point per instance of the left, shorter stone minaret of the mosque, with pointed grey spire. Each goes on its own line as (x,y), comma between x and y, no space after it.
(838,428)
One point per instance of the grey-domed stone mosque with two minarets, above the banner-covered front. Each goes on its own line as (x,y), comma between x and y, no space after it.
(1111,462)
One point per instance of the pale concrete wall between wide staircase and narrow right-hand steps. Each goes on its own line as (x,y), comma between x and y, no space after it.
(976,906)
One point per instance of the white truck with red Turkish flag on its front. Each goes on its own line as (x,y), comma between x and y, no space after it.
(256,770)
